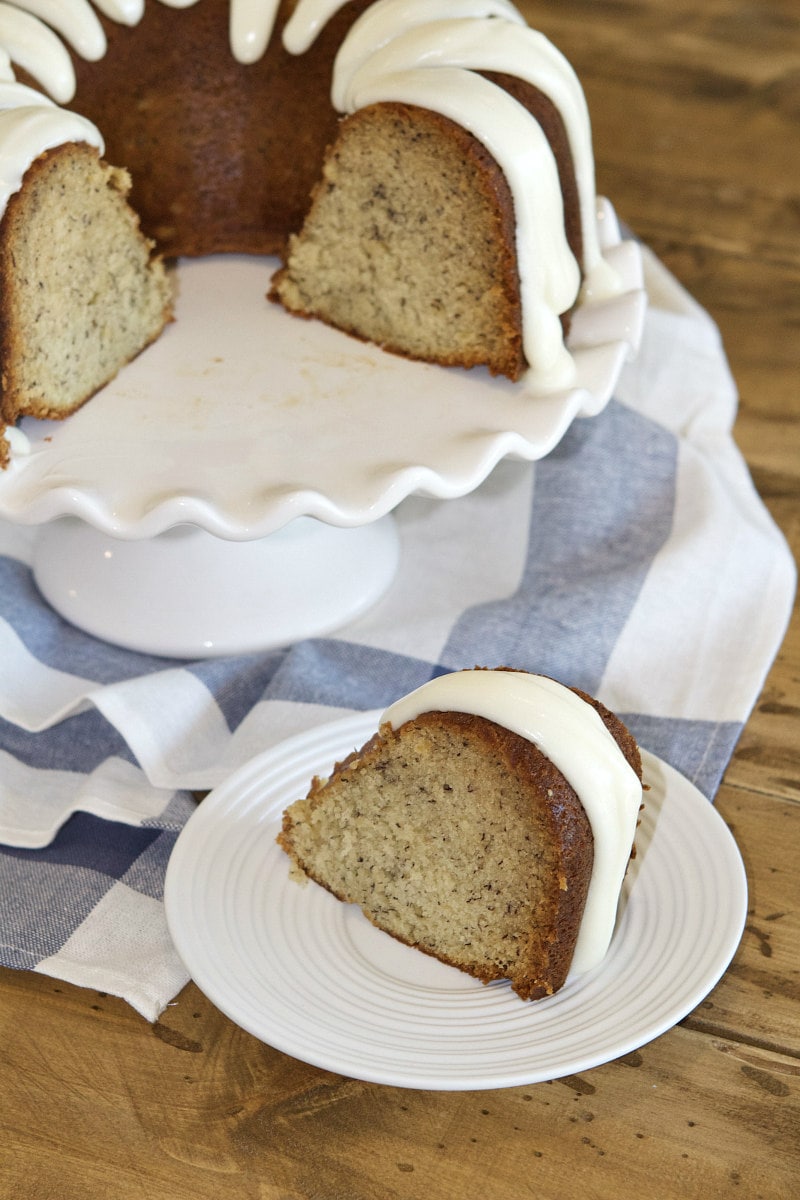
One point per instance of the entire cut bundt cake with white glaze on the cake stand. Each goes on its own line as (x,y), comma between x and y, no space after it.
(423,167)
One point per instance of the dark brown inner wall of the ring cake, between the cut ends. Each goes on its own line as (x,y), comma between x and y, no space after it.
(222,155)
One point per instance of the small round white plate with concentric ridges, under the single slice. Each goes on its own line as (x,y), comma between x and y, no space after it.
(314,979)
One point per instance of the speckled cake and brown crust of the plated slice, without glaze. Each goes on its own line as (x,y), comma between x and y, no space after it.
(461,839)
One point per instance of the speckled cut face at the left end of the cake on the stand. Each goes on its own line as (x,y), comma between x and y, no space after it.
(83,292)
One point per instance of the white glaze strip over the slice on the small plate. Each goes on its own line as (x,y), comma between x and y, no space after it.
(572,734)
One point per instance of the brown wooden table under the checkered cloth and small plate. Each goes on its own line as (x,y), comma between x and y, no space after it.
(697,122)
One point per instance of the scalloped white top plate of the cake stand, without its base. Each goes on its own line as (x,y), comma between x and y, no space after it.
(242,418)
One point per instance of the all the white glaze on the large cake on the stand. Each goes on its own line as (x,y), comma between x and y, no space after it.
(419,52)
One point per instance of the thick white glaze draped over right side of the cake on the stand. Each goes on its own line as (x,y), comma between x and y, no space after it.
(388,56)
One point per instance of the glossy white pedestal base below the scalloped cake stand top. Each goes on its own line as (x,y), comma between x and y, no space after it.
(190,595)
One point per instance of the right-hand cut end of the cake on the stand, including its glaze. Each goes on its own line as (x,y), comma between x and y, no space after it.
(456,219)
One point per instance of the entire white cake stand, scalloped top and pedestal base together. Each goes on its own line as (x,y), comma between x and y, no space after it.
(232,490)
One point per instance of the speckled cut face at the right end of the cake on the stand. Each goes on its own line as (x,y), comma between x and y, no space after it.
(407,243)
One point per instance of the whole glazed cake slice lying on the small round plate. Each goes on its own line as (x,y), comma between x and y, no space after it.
(461,836)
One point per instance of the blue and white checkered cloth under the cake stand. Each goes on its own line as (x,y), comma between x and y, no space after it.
(636,562)
